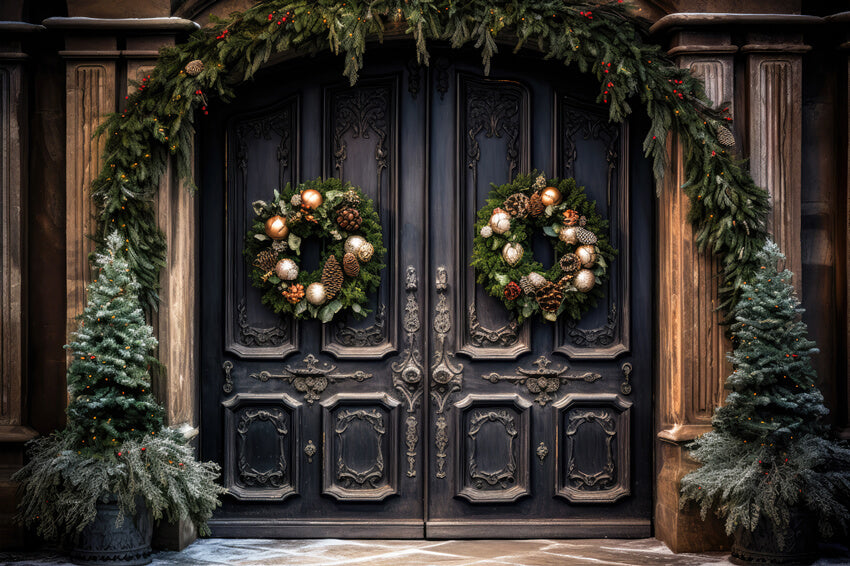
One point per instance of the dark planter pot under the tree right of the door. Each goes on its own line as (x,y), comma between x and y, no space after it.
(761,546)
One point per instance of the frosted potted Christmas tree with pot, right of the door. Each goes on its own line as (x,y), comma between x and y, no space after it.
(768,466)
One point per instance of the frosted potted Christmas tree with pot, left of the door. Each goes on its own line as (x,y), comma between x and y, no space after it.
(98,482)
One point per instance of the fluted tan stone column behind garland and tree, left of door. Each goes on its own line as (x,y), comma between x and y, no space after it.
(102,57)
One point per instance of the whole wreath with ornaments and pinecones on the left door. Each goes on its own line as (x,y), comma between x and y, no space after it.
(351,265)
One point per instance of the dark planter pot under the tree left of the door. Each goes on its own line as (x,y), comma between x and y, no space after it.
(104,543)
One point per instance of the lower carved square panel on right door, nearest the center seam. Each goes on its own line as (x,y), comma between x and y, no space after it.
(492,448)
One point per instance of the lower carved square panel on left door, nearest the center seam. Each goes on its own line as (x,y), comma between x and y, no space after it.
(360,457)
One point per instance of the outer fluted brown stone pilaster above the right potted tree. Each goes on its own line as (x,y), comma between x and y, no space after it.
(775,124)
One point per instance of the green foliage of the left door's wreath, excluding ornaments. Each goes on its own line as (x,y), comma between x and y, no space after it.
(353,295)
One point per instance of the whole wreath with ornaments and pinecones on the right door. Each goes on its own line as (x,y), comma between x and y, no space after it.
(502,256)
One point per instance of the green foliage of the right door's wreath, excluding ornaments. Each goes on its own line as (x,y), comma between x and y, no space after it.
(496,274)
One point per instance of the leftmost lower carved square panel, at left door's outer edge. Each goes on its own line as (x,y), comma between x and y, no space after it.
(257,468)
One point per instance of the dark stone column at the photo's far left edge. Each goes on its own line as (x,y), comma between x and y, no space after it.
(14,429)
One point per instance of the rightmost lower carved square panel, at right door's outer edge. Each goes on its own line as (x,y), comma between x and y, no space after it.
(599,470)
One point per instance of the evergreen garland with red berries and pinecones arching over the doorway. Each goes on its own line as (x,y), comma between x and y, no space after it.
(728,210)
